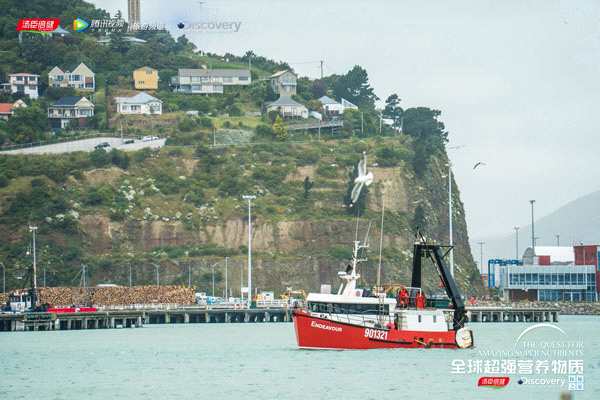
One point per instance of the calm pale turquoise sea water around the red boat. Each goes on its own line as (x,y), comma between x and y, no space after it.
(260,361)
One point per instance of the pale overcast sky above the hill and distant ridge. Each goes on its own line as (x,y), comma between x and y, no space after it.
(517,81)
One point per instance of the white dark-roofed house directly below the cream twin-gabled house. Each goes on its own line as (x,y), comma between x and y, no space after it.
(70,110)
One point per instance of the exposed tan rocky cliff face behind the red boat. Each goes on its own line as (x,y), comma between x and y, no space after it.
(301,251)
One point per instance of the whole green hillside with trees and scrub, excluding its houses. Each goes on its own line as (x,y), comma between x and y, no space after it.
(179,210)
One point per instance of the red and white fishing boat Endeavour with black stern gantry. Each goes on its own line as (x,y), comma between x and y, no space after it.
(356,319)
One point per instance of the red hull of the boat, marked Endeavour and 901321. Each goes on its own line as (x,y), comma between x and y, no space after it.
(321,333)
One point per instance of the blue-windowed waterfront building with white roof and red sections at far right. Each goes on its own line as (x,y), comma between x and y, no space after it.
(548,273)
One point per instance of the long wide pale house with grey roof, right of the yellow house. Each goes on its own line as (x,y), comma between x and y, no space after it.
(208,81)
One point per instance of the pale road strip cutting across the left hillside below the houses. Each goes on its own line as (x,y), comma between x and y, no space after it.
(88,145)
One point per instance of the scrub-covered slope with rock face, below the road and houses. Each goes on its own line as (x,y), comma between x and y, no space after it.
(182,207)
